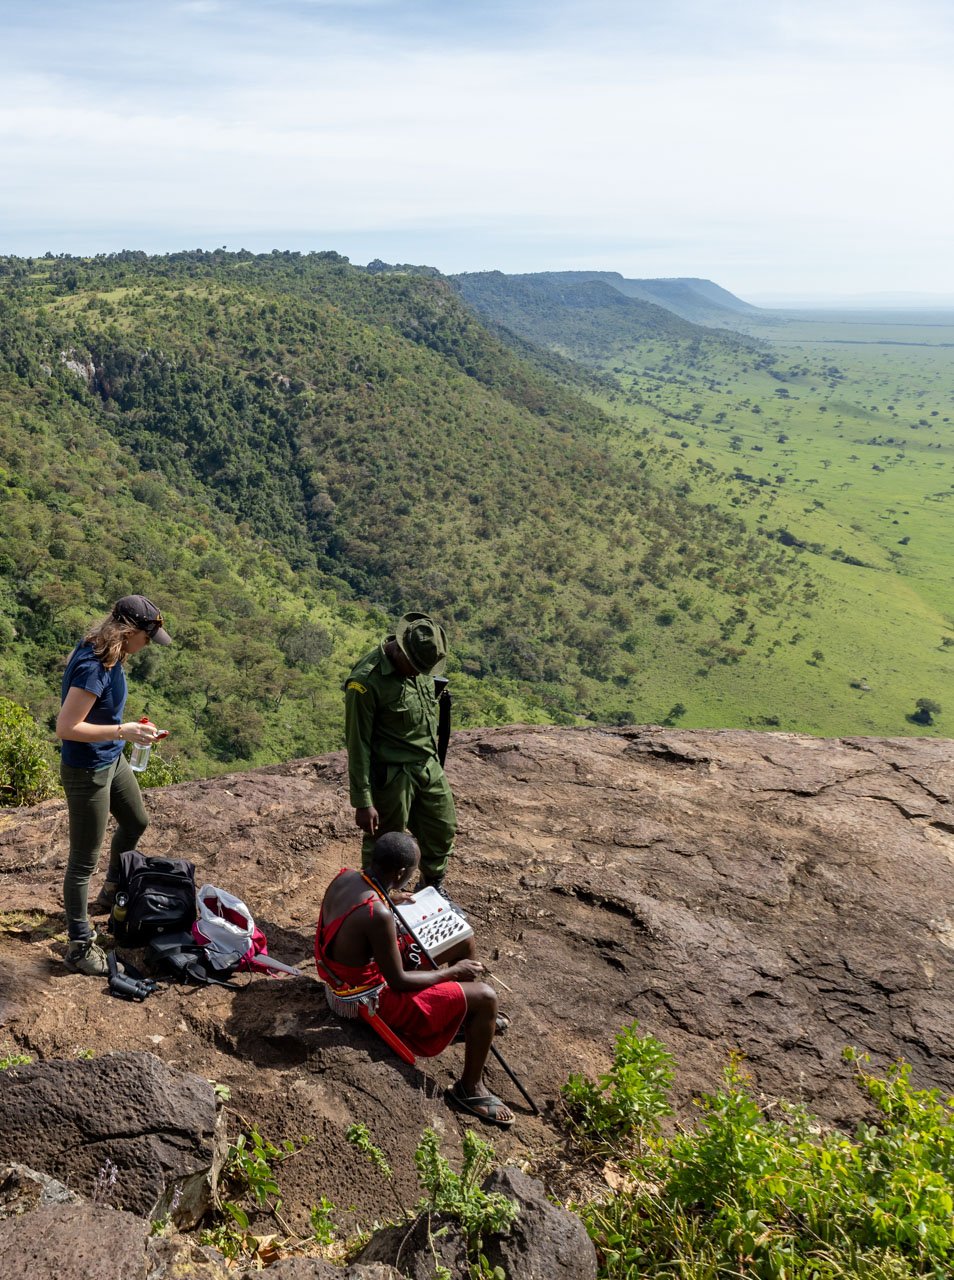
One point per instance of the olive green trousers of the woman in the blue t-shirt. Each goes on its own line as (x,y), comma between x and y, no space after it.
(93,796)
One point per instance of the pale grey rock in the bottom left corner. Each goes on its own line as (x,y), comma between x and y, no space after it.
(74,1242)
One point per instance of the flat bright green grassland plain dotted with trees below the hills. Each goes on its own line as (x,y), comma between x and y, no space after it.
(834,437)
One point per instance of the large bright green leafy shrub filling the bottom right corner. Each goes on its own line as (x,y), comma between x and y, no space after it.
(786,1197)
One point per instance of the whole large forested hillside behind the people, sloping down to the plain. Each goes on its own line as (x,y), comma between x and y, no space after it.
(273,445)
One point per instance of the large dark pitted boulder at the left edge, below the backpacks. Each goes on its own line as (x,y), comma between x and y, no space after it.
(124,1128)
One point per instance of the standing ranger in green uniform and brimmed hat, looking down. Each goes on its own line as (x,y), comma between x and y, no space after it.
(391,728)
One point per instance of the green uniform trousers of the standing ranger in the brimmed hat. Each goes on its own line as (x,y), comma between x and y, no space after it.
(416,798)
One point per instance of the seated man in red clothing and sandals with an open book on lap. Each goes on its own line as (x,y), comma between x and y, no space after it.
(357,948)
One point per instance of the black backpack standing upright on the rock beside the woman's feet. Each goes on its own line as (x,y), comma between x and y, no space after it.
(161,898)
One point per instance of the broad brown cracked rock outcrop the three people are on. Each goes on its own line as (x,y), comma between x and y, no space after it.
(778,895)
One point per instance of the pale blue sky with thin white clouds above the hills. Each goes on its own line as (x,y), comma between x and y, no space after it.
(791,150)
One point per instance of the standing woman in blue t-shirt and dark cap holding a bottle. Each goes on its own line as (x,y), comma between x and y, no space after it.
(95,774)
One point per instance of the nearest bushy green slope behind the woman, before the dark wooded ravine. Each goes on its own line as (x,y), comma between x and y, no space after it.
(261,650)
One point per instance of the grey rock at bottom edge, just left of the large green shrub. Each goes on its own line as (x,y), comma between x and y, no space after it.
(545,1242)
